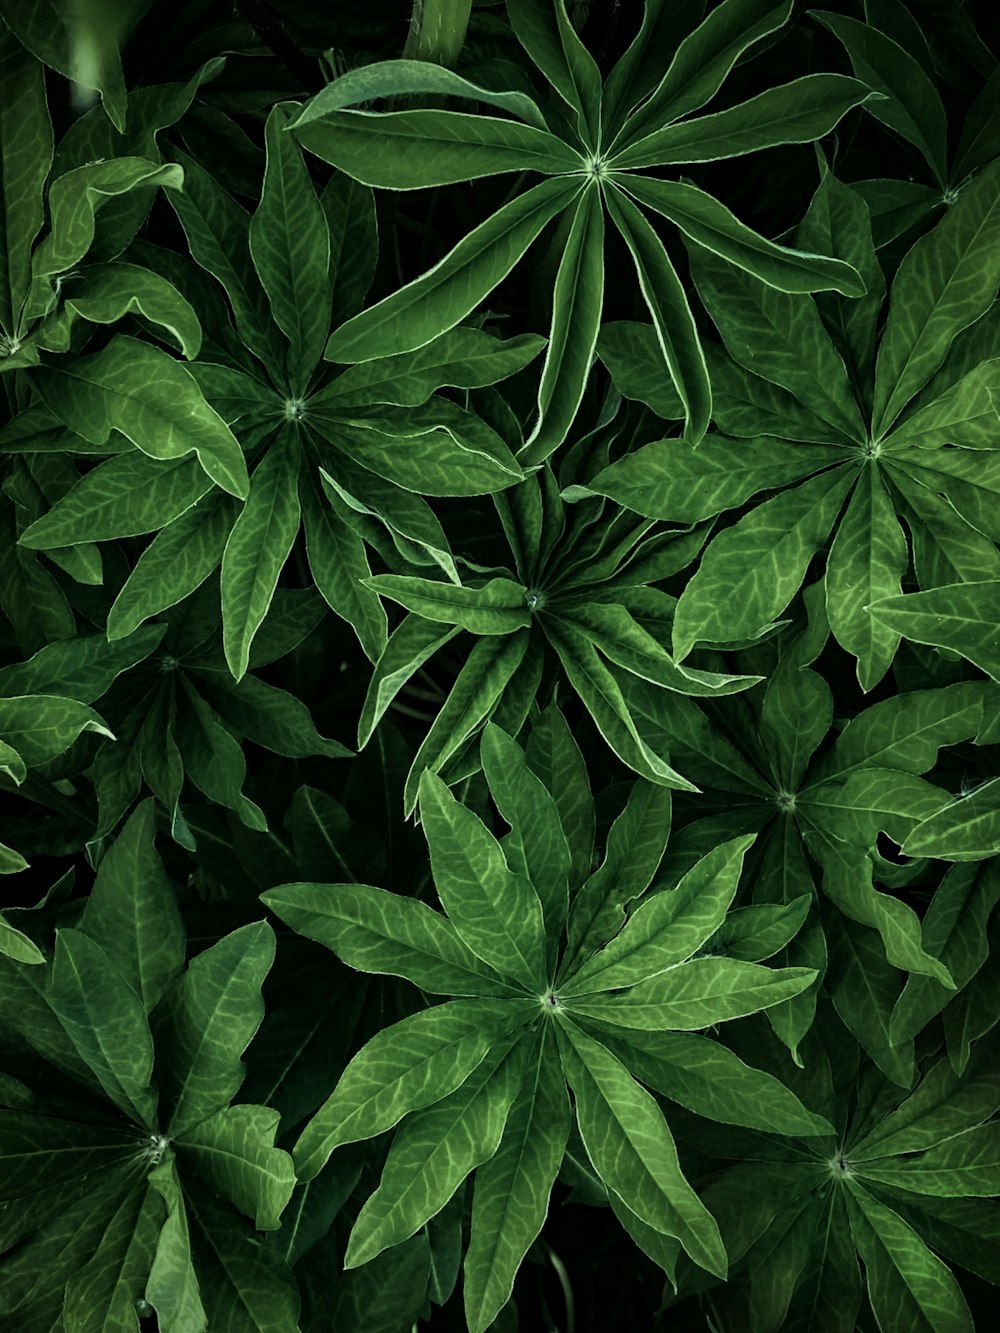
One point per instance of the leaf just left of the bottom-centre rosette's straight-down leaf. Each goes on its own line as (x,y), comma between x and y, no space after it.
(433,1154)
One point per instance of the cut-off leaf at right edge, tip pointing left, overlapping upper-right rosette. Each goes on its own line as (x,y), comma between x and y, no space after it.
(962,618)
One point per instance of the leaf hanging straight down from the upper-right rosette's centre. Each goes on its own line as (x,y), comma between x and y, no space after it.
(867,562)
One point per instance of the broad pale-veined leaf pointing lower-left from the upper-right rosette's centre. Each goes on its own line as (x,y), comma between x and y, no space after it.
(751,573)
